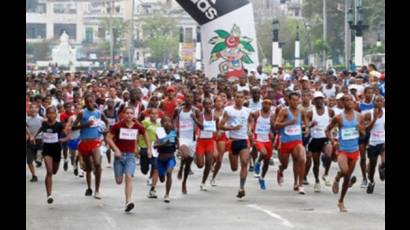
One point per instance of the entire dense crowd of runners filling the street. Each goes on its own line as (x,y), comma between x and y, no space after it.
(155,118)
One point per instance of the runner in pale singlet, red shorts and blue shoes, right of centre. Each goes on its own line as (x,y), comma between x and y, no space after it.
(264,121)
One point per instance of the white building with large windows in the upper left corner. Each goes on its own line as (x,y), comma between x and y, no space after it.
(48,19)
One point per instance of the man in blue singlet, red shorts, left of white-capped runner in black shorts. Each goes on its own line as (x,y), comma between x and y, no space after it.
(289,123)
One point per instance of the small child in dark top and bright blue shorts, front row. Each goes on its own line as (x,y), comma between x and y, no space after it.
(166,145)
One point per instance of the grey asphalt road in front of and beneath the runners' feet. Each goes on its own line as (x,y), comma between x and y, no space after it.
(275,208)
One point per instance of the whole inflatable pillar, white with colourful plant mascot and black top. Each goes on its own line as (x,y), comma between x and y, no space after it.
(228,35)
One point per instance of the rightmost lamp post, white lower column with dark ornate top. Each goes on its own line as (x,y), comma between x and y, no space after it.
(358,27)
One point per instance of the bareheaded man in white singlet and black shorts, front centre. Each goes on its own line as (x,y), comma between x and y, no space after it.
(239,125)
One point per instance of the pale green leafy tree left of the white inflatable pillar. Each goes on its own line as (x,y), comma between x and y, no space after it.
(160,35)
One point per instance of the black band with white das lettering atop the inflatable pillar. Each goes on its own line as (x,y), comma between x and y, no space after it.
(204,11)
